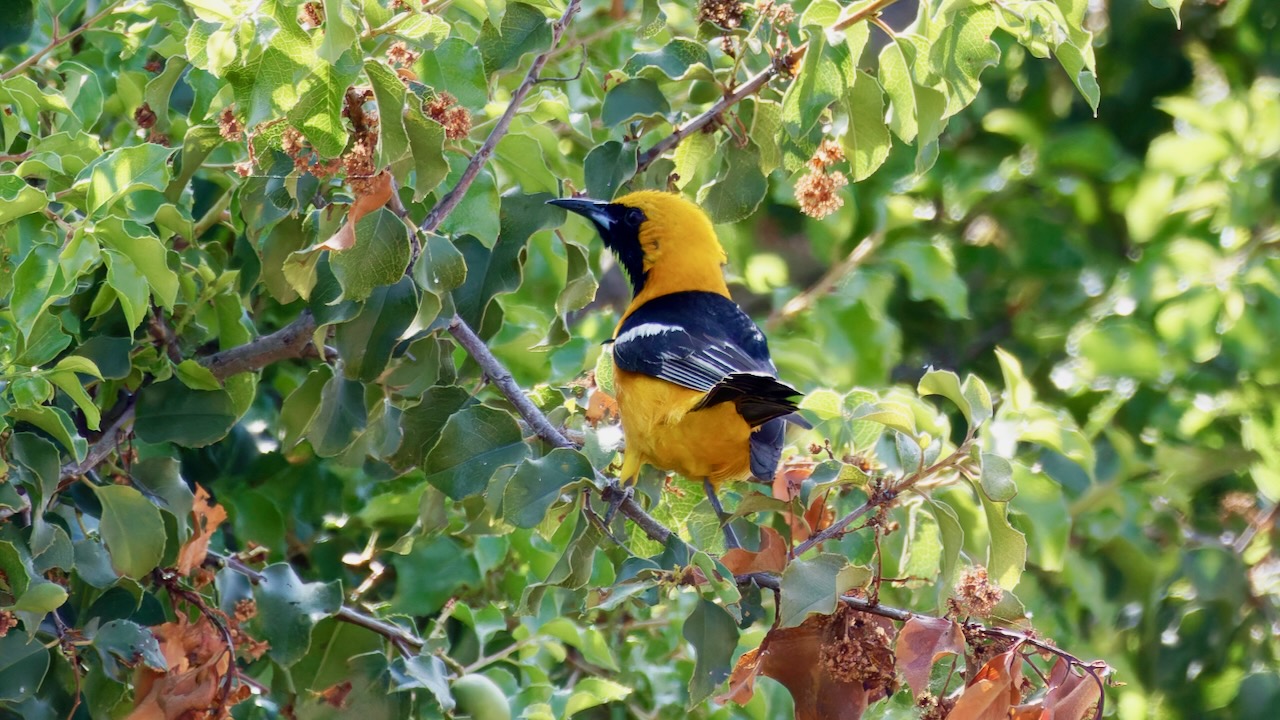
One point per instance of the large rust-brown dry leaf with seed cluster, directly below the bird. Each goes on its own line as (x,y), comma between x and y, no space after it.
(833,666)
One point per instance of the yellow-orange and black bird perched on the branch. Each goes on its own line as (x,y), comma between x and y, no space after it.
(697,390)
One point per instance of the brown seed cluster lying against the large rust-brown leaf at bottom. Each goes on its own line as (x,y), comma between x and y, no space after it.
(860,649)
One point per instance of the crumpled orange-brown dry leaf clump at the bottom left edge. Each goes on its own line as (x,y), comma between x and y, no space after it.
(199,662)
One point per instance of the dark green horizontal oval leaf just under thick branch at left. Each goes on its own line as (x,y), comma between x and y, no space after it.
(171,412)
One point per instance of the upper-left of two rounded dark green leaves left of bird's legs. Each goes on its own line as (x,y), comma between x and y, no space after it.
(474,444)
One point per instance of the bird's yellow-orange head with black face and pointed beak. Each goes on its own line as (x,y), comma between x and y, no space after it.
(664,243)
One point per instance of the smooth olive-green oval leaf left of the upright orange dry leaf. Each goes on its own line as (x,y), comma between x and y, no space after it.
(132,530)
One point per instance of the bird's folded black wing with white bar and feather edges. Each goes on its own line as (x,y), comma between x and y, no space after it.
(705,341)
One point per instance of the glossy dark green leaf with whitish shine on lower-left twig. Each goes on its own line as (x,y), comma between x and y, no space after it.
(289,609)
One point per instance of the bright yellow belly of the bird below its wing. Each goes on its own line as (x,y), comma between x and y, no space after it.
(712,444)
